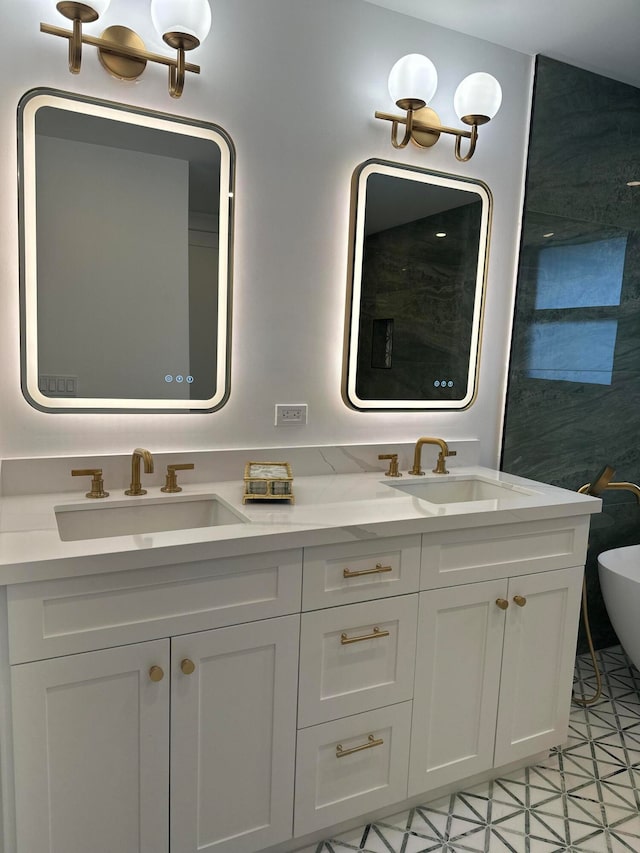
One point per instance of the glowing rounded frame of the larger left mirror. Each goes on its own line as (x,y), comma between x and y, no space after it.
(28,107)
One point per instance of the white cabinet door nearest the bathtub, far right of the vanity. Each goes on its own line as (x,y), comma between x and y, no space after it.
(538,662)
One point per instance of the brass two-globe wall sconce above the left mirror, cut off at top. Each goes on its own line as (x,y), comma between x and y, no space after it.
(182,24)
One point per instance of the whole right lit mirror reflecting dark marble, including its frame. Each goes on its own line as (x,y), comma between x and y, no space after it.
(419,245)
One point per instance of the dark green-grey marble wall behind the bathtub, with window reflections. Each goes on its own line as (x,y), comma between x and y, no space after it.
(584,148)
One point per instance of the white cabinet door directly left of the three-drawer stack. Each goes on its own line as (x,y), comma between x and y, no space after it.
(233,732)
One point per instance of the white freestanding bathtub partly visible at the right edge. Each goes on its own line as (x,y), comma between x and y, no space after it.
(620,582)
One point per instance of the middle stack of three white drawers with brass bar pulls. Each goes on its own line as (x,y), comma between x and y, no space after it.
(356,679)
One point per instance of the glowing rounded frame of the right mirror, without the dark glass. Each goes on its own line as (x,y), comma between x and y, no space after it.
(354,284)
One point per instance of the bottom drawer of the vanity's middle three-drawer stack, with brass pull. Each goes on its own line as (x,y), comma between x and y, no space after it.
(370,773)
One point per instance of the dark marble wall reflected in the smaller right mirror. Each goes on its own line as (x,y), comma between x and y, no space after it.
(426,286)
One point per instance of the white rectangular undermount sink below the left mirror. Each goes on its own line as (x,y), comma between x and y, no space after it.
(137,516)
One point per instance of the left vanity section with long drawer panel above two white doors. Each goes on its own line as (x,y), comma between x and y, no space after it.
(184,743)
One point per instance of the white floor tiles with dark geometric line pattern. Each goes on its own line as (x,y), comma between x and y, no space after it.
(584,798)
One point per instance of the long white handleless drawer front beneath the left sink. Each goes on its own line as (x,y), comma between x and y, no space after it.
(72,615)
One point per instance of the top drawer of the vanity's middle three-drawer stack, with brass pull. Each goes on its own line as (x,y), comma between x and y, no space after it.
(360,571)
